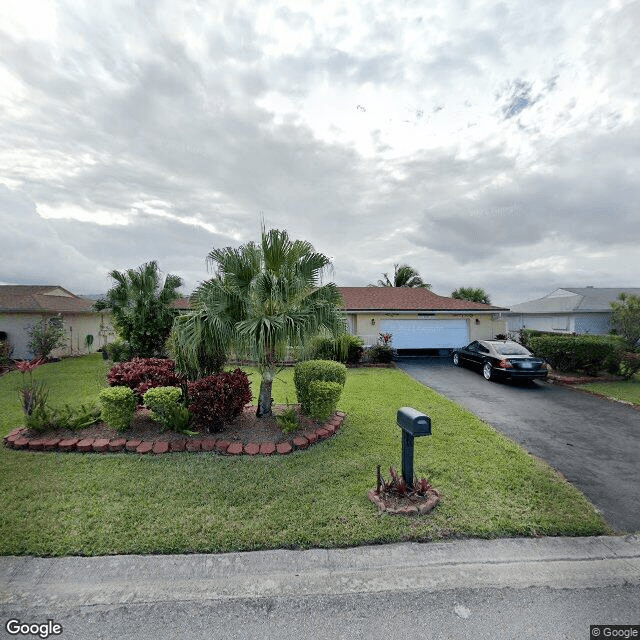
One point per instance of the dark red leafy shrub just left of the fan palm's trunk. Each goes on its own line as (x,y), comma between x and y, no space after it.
(217,399)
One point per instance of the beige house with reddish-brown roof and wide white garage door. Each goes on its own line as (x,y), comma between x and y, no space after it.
(418,318)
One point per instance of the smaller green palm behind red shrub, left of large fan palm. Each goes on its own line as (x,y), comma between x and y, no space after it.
(140,304)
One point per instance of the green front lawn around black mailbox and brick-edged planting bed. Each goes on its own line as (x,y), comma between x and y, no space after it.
(91,504)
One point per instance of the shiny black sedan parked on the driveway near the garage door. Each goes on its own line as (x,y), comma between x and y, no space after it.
(501,359)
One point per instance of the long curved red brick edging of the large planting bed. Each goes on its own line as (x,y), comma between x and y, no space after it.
(17,440)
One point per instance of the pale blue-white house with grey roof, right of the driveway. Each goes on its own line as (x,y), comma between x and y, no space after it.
(567,310)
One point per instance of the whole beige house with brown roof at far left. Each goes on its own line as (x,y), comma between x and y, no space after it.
(21,306)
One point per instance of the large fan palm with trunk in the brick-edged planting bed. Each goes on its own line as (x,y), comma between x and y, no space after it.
(264,300)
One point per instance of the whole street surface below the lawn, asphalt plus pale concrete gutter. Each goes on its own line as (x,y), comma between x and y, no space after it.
(530,589)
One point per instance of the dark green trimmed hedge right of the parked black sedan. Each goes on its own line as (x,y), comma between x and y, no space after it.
(577,352)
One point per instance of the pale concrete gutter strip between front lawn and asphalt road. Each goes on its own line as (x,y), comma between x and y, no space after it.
(515,563)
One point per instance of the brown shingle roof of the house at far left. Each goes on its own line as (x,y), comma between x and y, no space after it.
(41,298)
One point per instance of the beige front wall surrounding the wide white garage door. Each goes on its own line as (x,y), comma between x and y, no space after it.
(481,326)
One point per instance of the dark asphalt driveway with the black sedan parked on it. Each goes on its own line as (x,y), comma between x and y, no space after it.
(593,442)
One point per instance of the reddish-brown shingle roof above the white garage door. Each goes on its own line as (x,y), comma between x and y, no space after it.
(405,299)
